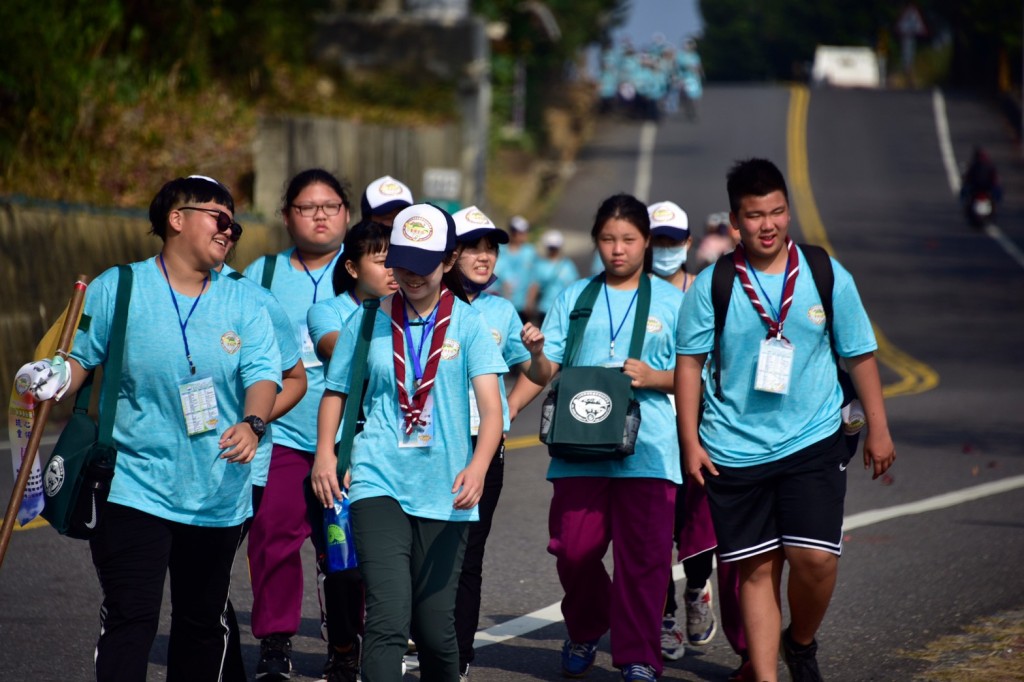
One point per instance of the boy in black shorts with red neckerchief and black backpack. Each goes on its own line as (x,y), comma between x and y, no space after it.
(770,450)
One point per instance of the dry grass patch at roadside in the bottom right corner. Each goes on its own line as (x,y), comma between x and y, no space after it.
(991,650)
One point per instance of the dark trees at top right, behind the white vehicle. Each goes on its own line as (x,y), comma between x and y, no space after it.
(972,44)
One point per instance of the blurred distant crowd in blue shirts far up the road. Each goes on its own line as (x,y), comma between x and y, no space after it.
(647,82)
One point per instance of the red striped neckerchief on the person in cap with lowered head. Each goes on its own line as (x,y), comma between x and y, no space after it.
(413,409)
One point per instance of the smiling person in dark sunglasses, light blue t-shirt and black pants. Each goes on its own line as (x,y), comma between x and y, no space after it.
(182,488)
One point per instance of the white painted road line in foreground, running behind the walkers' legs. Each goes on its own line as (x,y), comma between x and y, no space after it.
(552,615)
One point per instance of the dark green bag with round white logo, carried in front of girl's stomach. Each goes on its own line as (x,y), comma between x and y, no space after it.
(591,413)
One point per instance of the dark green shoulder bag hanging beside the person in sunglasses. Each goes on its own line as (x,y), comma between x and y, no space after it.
(77,478)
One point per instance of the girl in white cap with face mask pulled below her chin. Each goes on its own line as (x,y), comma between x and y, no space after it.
(521,346)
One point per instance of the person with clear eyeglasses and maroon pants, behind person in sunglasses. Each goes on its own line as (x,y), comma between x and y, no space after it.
(316,215)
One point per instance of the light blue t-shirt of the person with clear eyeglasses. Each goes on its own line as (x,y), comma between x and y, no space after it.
(297,291)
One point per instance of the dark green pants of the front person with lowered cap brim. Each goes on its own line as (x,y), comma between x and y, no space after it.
(411,569)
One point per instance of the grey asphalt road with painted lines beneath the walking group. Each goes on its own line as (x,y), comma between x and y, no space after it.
(943,550)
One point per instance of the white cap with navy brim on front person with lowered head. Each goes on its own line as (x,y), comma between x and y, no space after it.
(420,237)
